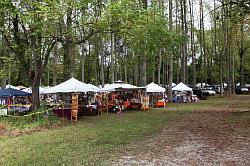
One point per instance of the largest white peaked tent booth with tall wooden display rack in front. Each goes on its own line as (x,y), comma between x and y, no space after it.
(73,98)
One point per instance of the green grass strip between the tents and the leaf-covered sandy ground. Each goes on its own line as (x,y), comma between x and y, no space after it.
(95,139)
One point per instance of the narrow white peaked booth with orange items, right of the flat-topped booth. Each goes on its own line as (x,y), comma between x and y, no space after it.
(156,95)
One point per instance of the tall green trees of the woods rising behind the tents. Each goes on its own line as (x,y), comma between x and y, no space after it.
(44,42)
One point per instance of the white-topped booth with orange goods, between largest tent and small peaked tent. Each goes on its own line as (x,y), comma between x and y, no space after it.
(125,96)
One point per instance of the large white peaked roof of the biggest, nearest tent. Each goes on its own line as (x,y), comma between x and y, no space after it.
(71,85)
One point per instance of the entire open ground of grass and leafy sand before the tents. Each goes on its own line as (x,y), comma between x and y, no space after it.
(212,132)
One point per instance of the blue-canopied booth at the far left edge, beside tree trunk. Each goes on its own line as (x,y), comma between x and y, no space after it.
(14,102)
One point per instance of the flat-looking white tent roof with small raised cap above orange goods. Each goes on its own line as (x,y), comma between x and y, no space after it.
(114,86)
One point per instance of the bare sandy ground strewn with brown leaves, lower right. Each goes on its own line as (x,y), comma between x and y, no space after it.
(199,138)
